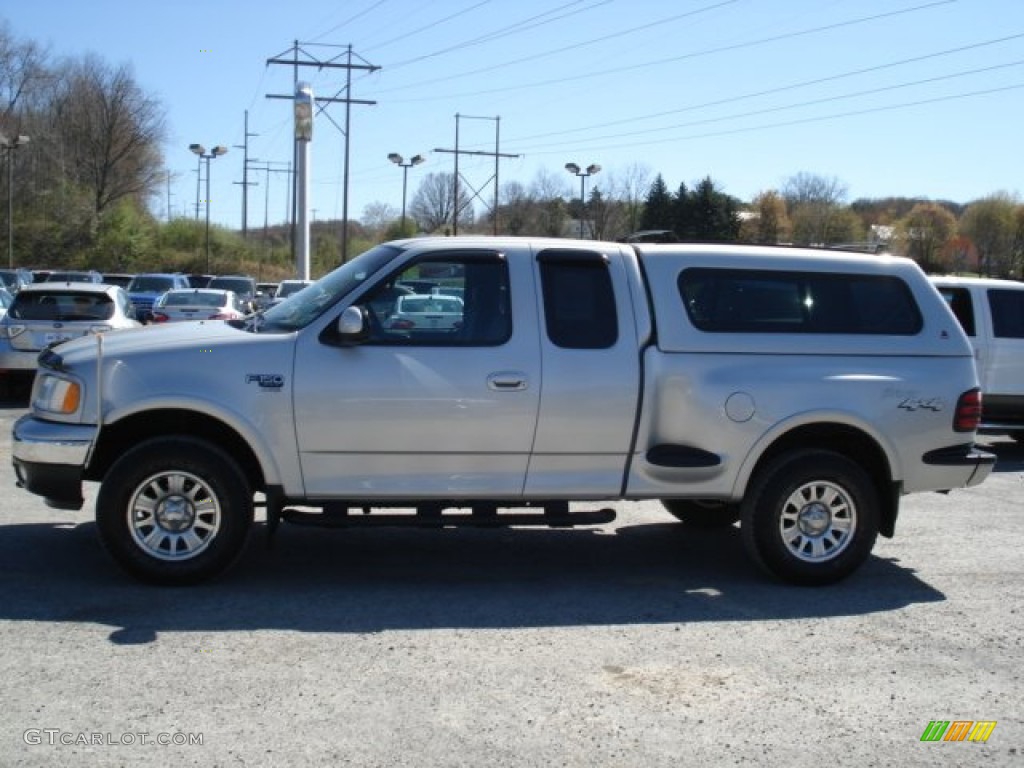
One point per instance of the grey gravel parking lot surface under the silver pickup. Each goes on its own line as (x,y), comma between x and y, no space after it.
(637,645)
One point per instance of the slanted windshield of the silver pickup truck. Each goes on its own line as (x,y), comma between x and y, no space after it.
(302,309)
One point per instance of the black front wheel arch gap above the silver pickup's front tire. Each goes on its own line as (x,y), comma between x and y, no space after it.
(118,437)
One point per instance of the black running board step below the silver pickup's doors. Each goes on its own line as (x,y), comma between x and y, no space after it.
(435,518)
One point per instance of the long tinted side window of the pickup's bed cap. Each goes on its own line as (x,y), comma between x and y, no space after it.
(760,302)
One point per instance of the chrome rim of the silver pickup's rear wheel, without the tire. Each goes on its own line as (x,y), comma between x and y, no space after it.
(819,522)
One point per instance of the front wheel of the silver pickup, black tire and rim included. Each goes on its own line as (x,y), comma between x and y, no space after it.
(205,501)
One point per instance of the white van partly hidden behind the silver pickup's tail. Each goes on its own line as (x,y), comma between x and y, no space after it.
(992,313)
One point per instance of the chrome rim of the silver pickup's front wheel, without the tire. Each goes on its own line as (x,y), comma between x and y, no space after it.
(174,517)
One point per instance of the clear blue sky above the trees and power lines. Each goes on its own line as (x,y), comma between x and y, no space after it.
(917,99)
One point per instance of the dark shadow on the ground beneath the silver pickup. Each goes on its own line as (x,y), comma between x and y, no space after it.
(360,581)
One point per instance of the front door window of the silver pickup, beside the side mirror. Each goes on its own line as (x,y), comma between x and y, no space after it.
(457,300)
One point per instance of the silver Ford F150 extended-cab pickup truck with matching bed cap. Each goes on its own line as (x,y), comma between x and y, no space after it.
(799,393)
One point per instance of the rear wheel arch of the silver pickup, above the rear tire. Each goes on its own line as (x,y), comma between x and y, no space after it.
(855,442)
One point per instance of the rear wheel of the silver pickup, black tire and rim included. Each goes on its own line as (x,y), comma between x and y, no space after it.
(810,518)
